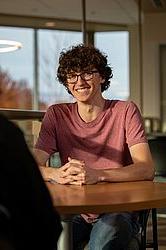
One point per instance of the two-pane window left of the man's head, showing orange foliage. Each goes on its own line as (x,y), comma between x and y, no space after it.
(18,69)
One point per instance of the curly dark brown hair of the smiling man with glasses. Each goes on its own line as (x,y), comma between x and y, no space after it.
(83,58)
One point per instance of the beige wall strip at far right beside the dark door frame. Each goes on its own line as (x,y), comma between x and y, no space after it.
(154,34)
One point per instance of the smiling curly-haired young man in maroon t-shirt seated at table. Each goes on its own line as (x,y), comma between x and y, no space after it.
(98,140)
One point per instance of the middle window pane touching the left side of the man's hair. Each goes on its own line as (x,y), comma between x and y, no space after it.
(51,43)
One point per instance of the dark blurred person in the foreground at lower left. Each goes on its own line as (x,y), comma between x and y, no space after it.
(28,219)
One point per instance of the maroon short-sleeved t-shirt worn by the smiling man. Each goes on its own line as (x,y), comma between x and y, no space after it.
(102,143)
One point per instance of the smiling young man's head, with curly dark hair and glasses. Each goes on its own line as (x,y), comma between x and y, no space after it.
(81,59)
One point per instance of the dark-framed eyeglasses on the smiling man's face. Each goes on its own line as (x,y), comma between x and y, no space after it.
(86,76)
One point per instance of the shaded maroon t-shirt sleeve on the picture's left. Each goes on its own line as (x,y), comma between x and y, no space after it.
(47,135)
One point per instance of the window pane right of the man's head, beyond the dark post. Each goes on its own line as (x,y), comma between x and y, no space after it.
(116,46)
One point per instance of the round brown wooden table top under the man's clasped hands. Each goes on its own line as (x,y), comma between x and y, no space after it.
(108,197)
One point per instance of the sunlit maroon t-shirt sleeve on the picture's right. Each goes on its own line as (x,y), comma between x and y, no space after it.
(135,132)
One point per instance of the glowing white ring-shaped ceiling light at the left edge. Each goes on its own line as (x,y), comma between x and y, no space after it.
(8,45)
